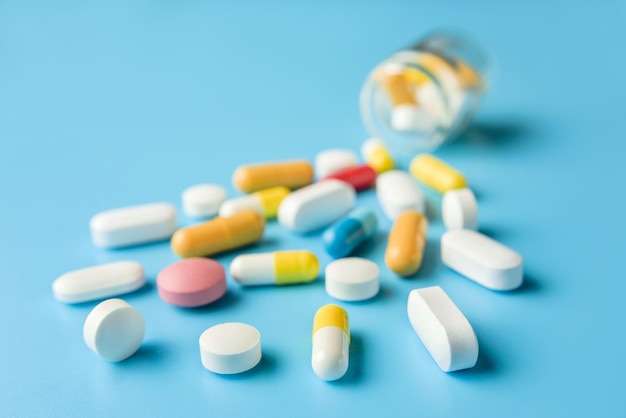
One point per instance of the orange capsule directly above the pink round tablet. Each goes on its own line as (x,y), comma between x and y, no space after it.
(219,234)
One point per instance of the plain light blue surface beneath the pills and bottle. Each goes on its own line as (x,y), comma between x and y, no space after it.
(108,104)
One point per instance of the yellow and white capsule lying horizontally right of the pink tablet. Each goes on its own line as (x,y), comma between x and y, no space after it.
(280,267)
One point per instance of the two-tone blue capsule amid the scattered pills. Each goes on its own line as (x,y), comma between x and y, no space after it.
(345,235)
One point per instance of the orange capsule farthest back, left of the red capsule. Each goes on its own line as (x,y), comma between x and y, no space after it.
(291,174)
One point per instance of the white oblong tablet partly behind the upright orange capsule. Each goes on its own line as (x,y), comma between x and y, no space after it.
(397,191)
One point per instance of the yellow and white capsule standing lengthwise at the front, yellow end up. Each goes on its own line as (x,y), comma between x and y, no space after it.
(331,342)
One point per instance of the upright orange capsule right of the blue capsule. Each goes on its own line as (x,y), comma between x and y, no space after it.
(406,244)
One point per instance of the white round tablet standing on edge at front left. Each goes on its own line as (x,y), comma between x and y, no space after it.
(114,330)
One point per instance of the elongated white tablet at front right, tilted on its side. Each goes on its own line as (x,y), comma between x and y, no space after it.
(445,332)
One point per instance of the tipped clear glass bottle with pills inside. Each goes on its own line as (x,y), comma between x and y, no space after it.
(423,96)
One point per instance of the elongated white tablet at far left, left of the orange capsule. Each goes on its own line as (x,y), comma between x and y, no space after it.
(133,225)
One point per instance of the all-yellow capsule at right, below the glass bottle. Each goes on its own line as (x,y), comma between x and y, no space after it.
(436,174)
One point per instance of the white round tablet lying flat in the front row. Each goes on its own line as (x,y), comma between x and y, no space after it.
(230,348)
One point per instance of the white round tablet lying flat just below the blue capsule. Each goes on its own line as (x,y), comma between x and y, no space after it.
(352,279)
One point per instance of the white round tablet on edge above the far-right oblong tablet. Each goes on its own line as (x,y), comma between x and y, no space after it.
(459,209)
